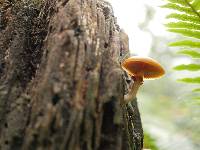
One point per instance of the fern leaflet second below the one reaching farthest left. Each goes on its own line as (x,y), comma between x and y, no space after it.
(185,25)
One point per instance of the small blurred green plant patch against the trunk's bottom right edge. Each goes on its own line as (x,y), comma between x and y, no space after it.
(149,142)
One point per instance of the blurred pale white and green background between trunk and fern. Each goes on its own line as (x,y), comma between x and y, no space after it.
(170,115)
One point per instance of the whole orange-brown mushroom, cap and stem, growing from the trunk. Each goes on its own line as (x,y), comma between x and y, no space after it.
(140,68)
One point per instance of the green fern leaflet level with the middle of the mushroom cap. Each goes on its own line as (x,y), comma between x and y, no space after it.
(189,67)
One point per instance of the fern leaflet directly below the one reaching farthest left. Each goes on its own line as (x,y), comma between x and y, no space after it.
(184,17)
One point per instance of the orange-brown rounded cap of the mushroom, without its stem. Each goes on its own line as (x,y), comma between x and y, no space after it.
(143,66)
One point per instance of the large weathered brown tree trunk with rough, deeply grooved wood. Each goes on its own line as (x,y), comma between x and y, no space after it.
(60,77)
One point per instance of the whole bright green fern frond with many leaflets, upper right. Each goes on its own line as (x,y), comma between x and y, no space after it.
(185,20)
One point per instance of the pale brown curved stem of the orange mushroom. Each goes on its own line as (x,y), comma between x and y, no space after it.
(138,81)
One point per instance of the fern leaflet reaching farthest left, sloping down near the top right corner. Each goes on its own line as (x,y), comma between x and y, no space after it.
(176,7)
